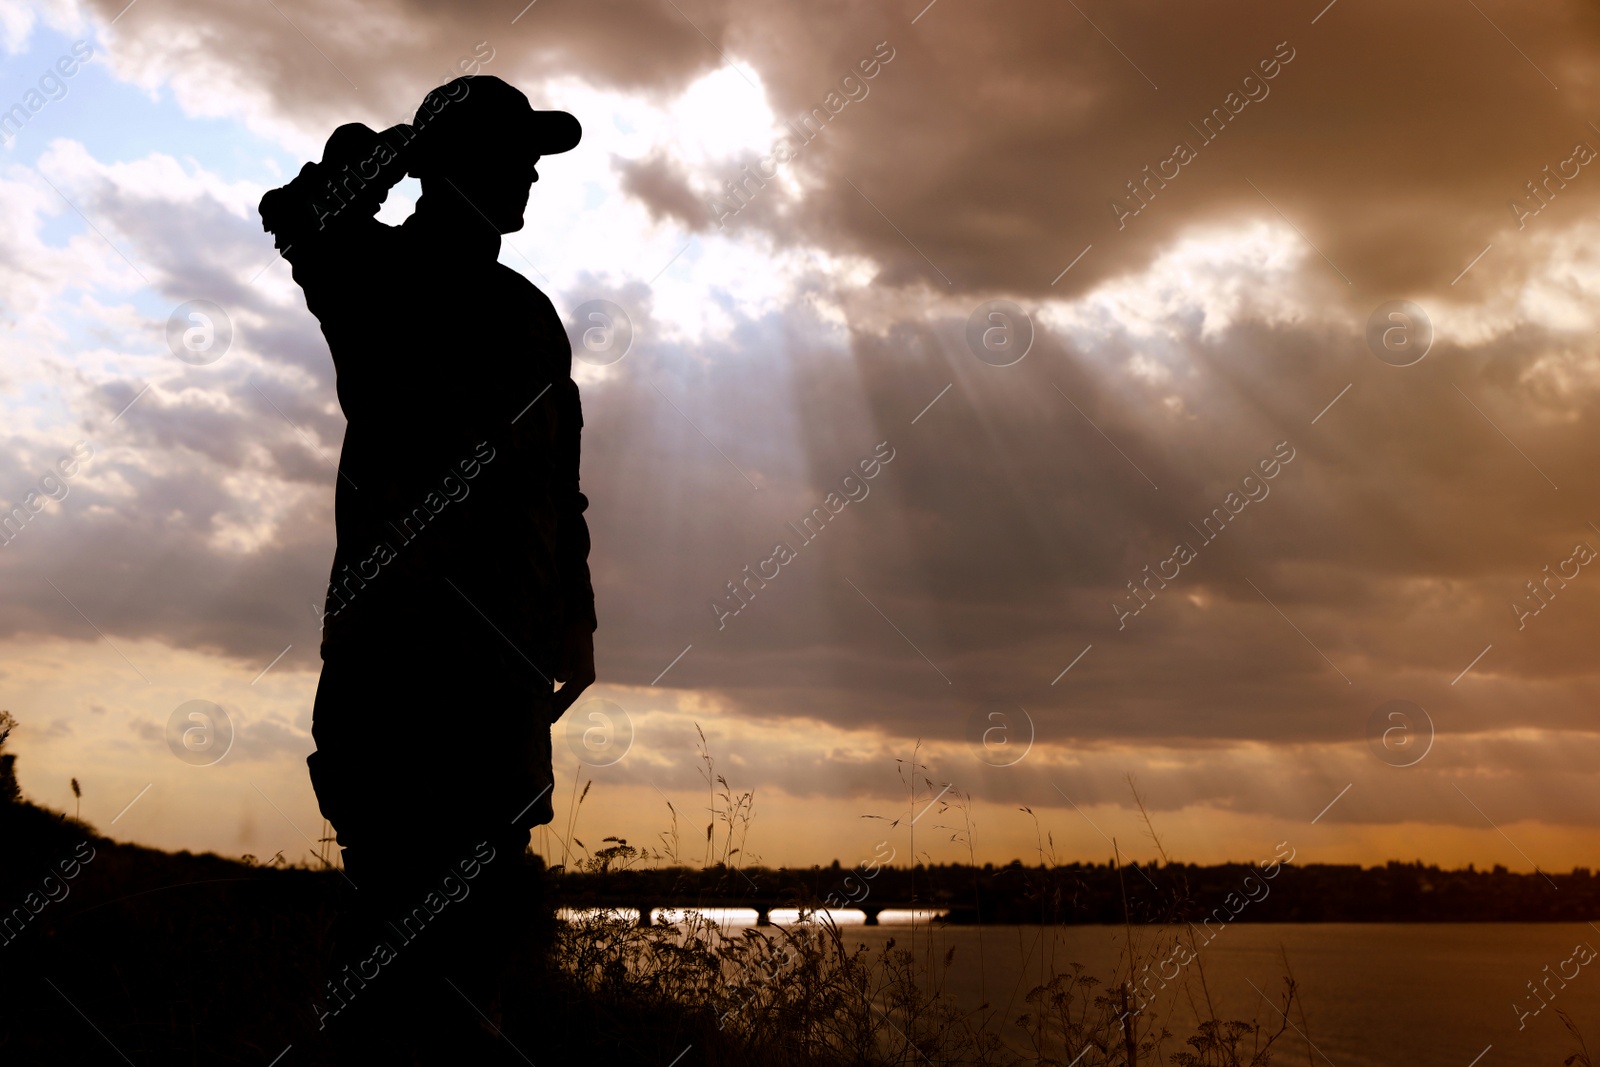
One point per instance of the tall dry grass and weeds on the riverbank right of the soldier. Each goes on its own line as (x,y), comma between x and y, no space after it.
(802,996)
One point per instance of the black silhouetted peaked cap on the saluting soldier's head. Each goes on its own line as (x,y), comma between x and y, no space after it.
(463,118)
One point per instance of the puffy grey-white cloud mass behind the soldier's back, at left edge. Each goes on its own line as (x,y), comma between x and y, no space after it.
(140,543)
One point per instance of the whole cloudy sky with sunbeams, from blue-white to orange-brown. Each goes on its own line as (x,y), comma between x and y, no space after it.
(1191,220)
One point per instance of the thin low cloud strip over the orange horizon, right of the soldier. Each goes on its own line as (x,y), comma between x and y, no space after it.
(1289,781)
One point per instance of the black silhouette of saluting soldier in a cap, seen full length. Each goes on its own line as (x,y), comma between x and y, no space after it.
(460,589)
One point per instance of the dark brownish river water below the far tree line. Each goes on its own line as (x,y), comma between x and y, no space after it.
(1374,994)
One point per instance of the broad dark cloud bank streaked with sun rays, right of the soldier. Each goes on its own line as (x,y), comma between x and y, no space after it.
(1380,562)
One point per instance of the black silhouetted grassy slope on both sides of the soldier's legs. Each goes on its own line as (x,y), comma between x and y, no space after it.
(175,959)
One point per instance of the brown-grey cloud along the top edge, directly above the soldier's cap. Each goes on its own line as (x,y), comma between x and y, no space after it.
(324,66)
